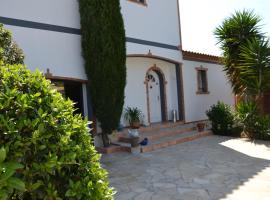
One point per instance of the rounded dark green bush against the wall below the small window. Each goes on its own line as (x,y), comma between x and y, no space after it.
(222,119)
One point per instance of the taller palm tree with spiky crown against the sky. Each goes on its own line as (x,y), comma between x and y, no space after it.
(233,33)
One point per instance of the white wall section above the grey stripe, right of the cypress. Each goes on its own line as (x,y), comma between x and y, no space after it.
(158,21)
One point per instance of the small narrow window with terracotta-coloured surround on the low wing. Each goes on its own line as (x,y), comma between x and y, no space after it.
(202,81)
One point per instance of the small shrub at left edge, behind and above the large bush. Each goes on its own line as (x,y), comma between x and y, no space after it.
(10,52)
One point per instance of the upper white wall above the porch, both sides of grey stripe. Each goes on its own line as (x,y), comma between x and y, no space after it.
(156,22)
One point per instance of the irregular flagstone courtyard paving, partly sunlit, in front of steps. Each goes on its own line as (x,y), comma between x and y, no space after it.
(206,169)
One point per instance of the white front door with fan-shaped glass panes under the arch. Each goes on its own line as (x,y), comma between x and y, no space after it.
(154,97)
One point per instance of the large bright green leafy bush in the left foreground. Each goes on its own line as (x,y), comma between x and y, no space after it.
(38,130)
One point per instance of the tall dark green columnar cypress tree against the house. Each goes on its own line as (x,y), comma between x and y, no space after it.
(104,52)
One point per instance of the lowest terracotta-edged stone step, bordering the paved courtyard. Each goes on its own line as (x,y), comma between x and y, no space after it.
(173,140)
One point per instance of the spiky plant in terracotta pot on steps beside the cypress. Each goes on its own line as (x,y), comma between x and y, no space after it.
(133,116)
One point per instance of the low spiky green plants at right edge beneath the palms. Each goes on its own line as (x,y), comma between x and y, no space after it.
(255,126)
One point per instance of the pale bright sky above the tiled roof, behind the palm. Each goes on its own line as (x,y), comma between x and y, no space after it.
(199,19)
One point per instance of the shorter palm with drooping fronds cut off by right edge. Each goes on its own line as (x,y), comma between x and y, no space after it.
(254,68)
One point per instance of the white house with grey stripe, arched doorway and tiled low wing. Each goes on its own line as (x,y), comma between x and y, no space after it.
(161,77)
